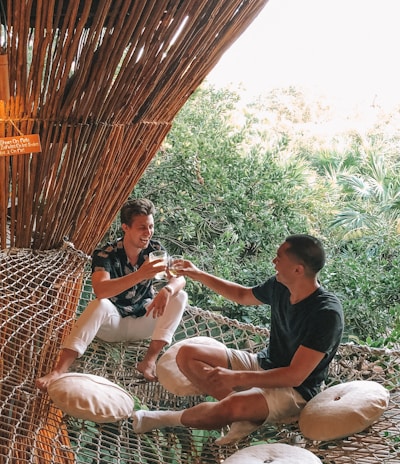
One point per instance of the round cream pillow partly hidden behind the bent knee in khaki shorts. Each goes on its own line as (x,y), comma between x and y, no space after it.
(168,372)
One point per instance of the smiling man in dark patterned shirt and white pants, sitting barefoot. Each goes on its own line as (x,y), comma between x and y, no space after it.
(126,307)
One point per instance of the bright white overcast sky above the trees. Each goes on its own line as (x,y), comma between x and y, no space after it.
(347,49)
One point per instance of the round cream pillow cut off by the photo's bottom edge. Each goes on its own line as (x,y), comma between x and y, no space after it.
(275,453)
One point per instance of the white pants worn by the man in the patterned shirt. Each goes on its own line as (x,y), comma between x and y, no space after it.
(102,319)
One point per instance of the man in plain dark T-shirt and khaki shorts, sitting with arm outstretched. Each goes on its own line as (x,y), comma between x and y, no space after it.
(274,384)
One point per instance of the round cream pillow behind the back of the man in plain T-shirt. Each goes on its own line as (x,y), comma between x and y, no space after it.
(343,410)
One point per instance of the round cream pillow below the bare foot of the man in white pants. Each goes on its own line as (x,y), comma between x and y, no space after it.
(90,397)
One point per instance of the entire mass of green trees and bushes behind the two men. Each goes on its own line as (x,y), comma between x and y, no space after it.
(231,183)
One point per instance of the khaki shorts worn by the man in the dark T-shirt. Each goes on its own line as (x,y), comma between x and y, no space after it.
(284,404)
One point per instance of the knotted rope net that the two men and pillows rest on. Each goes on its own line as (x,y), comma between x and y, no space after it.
(41,293)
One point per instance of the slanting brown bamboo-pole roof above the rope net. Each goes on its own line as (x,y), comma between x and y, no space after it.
(100,82)
